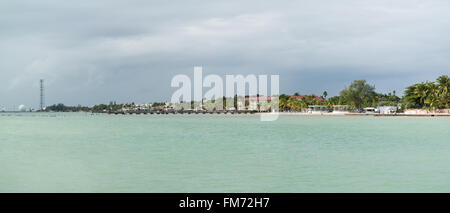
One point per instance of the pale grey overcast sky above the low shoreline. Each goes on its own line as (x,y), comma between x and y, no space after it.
(97,51)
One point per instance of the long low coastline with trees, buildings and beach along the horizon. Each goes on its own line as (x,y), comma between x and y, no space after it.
(425,98)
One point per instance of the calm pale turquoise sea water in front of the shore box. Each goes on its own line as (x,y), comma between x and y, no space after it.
(80,152)
